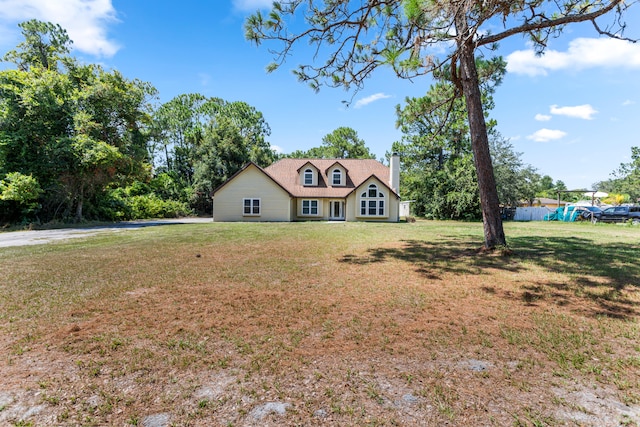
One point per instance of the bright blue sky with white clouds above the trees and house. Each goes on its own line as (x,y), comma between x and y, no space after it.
(574,113)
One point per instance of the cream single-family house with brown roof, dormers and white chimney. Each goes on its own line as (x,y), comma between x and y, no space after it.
(311,189)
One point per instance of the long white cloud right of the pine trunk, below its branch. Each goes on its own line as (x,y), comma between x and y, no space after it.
(582,53)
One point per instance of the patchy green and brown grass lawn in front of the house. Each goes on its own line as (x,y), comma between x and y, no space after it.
(323,324)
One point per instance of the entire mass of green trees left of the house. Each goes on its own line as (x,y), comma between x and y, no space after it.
(87,137)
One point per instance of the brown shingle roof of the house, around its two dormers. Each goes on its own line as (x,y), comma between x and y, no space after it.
(286,173)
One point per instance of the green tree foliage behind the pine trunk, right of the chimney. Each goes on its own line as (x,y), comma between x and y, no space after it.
(438,170)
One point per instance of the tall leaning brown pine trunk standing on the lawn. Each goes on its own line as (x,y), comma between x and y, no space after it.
(490,204)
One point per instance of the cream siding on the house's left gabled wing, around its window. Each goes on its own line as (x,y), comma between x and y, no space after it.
(251,183)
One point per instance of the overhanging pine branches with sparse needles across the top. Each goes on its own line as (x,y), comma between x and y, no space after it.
(405,34)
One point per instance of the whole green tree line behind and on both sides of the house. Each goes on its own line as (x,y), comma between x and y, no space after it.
(81,142)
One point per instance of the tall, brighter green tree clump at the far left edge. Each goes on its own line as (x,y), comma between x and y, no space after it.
(77,129)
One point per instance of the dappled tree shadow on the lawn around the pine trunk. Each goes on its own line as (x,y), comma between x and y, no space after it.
(588,270)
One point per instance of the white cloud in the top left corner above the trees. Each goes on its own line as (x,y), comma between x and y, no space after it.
(86,21)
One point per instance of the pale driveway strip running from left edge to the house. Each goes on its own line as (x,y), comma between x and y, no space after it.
(38,237)
